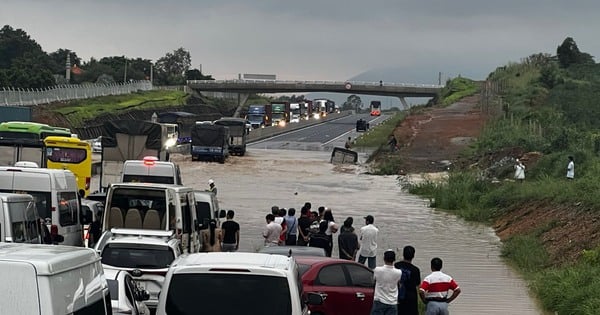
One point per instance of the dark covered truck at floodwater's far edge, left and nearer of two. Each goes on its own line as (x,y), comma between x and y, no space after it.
(210,142)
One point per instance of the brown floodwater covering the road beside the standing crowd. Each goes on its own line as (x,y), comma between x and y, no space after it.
(250,185)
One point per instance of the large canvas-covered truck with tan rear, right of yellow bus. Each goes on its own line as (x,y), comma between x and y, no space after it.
(124,140)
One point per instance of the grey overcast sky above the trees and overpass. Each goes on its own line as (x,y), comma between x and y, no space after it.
(313,39)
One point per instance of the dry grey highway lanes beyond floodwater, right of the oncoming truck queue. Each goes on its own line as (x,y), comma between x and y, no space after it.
(321,137)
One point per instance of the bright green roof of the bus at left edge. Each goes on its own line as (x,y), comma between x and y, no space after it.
(30,130)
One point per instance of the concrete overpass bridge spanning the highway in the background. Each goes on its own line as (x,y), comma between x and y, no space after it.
(246,87)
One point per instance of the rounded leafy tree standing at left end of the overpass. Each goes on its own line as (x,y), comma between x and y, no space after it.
(171,69)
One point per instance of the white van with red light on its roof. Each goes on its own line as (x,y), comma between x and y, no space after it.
(151,170)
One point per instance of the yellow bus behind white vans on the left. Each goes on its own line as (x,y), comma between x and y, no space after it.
(71,154)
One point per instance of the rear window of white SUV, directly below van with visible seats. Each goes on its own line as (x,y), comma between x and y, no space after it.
(128,256)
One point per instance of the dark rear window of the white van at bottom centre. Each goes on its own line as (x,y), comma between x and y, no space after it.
(254,294)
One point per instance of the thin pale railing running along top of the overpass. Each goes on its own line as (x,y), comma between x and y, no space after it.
(338,83)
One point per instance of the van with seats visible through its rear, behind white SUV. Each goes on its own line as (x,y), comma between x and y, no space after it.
(151,206)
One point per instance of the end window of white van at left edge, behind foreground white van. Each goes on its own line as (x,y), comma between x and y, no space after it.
(24,222)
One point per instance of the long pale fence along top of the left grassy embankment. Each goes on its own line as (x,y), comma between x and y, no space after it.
(59,93)
